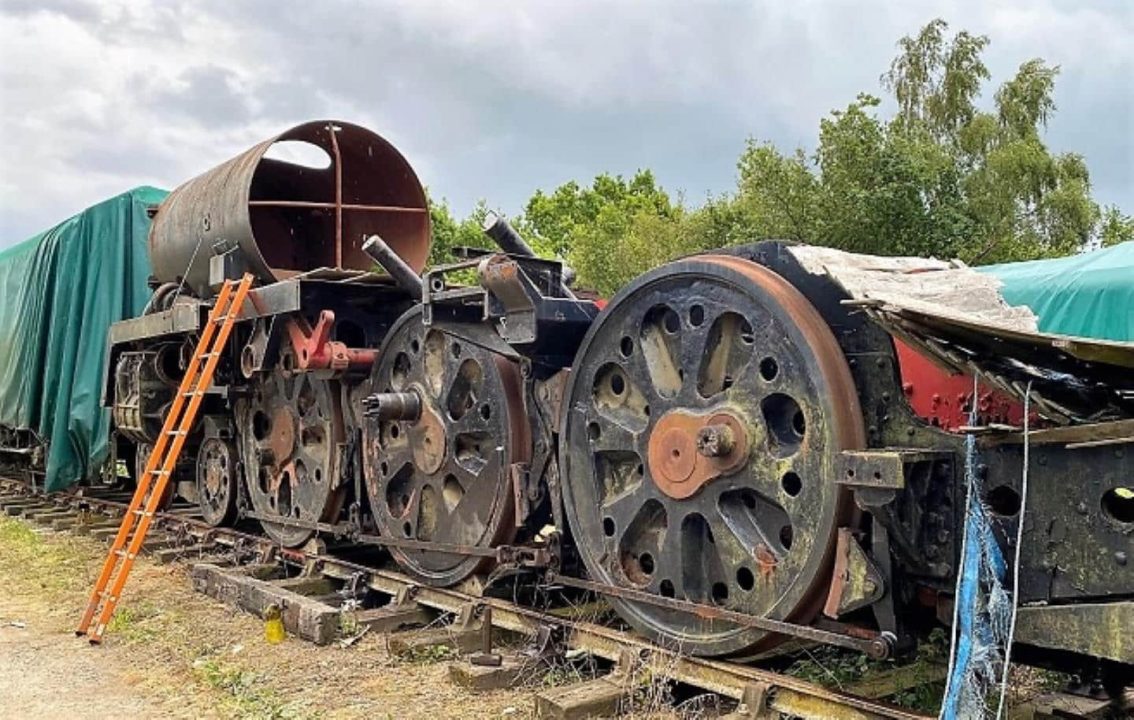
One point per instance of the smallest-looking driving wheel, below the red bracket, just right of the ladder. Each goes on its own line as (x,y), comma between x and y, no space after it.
(291,427)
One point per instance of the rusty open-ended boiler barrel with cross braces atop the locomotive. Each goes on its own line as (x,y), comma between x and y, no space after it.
(289,217)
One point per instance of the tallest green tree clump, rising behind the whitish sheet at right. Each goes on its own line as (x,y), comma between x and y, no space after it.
(942,177)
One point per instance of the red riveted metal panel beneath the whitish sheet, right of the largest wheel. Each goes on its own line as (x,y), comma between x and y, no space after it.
(944,400)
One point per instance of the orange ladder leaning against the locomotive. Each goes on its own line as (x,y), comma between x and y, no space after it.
(164,459)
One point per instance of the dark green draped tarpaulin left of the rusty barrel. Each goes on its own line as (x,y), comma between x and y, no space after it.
(60,293)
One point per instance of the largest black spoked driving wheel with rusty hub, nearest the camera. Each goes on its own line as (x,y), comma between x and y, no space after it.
(742,515)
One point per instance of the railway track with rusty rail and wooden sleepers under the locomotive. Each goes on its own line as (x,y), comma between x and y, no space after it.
(231,563)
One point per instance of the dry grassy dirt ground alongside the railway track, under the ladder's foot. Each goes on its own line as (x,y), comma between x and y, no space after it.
(173,654)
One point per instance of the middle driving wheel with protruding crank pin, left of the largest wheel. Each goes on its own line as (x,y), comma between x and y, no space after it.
(445,478)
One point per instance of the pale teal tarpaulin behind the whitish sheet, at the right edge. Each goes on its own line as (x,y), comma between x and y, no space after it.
(1089,295)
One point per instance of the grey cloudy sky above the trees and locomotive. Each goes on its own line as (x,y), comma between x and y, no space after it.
(497,99)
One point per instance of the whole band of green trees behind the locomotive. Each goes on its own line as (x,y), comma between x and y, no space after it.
(942,177)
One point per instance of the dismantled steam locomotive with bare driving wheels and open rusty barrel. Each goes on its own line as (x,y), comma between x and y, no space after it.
(742,447)
